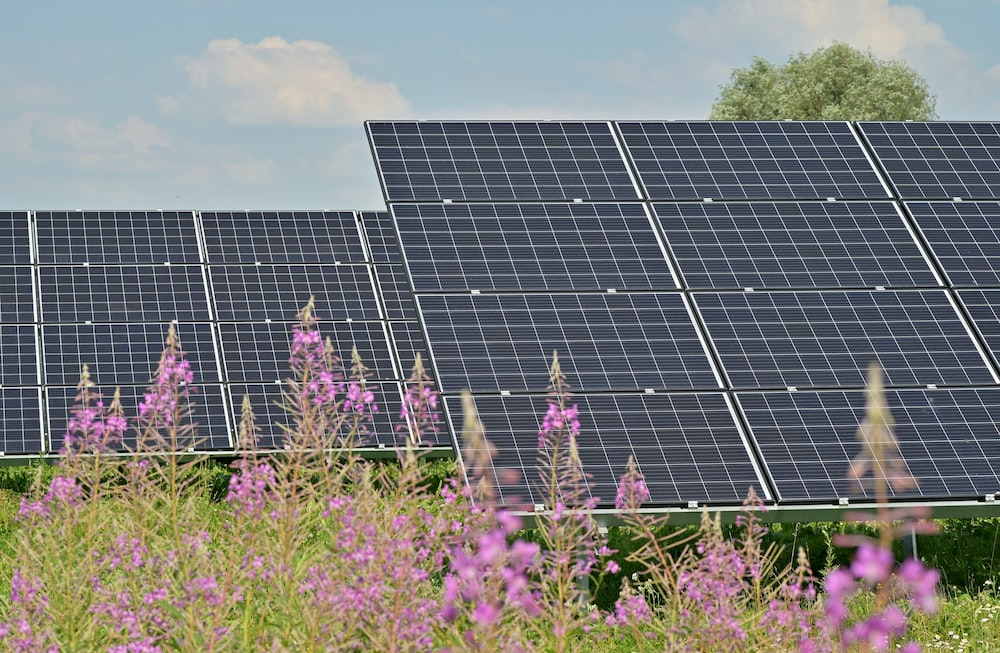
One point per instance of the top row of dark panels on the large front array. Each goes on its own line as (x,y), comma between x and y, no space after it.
(565,161)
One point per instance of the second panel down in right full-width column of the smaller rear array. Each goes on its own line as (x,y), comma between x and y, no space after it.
(280,292)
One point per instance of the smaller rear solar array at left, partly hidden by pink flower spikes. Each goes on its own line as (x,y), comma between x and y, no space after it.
(100,288)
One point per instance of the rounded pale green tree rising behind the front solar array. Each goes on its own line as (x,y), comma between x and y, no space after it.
(832,83)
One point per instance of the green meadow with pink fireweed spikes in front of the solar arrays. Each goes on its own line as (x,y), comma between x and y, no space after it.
(306,551)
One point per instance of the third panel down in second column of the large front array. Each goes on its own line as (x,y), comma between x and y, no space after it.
(828,339)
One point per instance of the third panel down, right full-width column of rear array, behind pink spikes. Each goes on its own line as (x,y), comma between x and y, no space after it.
(259,351)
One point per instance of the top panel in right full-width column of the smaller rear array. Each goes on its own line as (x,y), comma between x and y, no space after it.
(282,237)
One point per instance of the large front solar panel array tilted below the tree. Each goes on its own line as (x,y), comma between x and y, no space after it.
(715,292)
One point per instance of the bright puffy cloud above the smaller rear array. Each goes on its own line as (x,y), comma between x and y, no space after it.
(302,83)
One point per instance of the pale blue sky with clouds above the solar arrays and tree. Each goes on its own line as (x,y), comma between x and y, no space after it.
(256,104)
